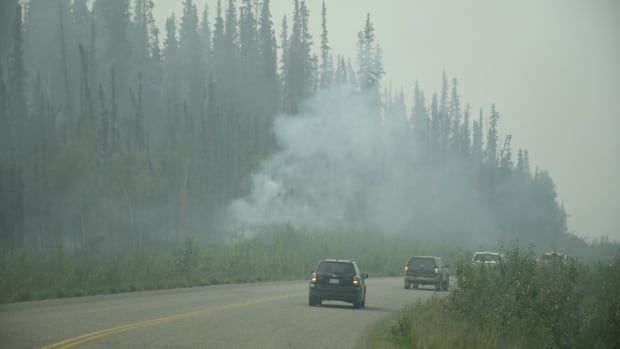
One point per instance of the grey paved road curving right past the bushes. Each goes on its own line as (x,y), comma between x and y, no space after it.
(262,315)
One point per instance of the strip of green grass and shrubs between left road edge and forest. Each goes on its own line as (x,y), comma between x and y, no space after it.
(284,255)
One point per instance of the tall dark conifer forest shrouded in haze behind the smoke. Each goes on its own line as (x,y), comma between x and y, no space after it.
(116,135)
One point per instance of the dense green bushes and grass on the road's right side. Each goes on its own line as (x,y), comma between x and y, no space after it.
(522,305)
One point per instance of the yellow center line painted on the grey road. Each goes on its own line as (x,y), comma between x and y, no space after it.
(72,342)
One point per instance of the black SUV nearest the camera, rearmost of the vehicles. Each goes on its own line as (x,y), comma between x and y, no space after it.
(338,280)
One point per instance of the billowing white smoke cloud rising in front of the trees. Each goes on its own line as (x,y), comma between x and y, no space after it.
(341,166)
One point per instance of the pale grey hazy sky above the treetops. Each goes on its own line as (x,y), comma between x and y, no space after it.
(552,67)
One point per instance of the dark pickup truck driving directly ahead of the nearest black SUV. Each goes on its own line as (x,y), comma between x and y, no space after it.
(427,270)
